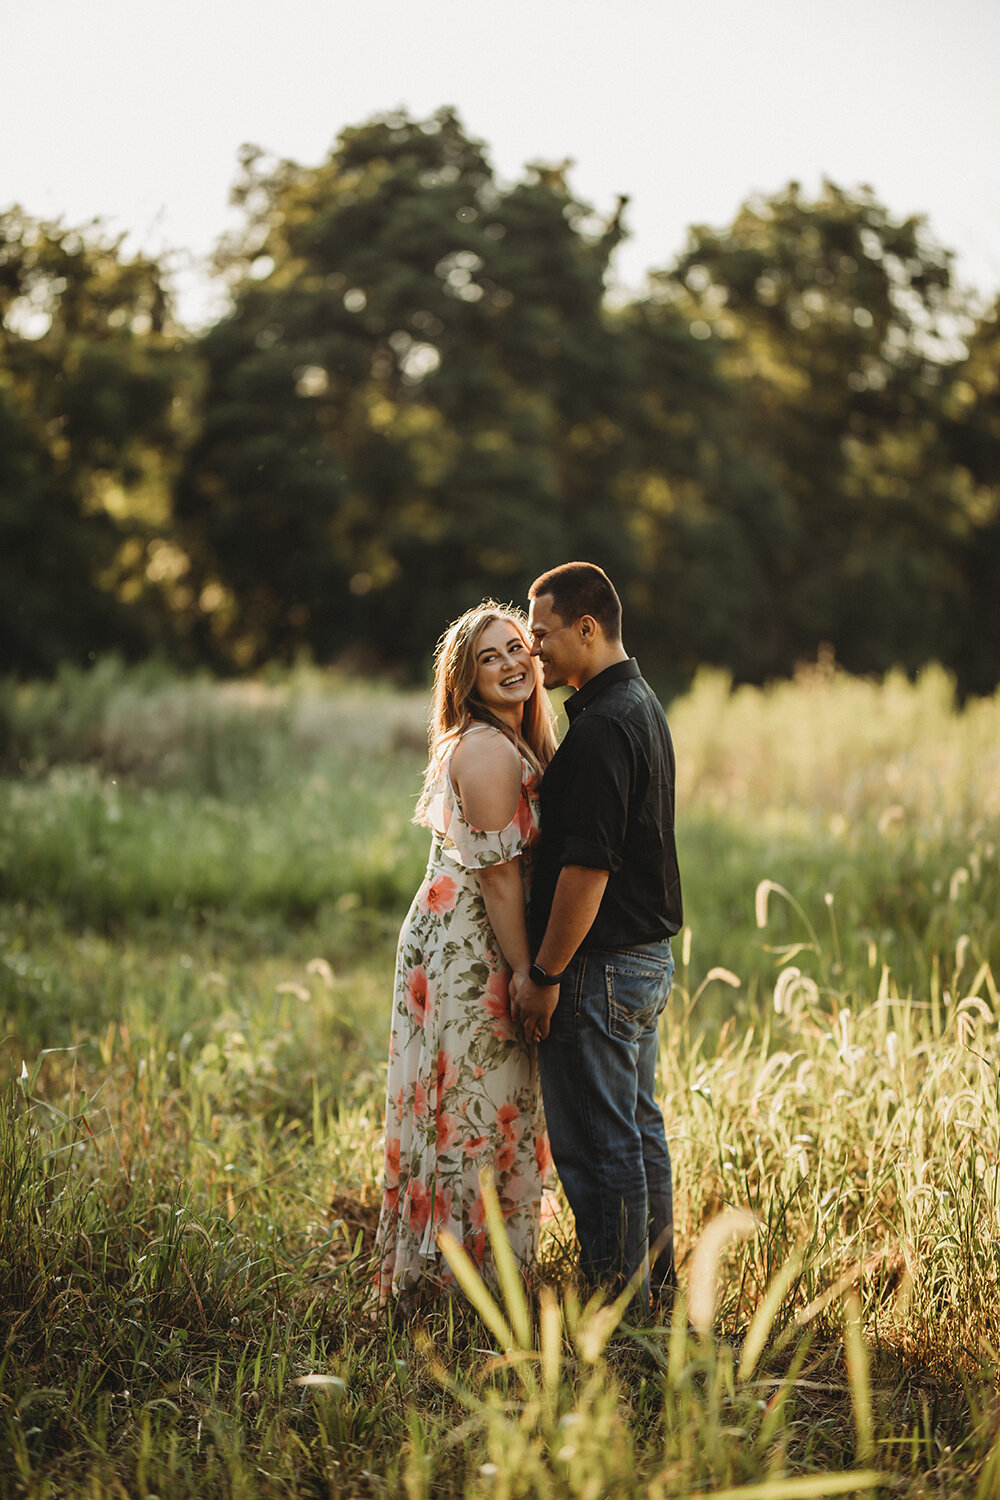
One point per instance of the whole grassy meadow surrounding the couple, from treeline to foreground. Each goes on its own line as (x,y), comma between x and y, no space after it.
(200,893)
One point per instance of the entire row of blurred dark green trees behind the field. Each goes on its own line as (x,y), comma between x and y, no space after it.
(424,394)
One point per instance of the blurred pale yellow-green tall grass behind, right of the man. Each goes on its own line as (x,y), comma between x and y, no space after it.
(876,805)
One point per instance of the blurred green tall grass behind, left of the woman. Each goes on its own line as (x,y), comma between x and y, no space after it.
(205,803)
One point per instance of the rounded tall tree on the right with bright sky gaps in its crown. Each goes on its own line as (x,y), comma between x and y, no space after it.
(839,326)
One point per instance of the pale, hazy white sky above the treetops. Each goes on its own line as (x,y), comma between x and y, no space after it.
(134,112)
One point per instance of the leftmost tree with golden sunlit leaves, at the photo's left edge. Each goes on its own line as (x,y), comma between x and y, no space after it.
(88,380)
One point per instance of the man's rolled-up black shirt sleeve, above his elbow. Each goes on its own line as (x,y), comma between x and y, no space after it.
(597,796)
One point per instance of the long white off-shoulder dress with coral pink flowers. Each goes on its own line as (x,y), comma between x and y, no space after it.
(463,1088)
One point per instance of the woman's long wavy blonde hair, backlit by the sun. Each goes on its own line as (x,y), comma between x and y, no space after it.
(455,704)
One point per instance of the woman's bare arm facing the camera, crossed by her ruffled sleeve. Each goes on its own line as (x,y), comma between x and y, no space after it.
(487,775)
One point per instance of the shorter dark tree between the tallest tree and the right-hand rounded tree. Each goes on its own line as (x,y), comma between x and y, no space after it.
(696,505)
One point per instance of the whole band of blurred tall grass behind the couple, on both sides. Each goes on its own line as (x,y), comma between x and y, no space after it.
(289,803)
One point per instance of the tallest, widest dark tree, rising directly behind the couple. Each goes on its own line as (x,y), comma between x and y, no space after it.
(418,398)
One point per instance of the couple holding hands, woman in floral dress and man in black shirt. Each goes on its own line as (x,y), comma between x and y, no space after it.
(545,919)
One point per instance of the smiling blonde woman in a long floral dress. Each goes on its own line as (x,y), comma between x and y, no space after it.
(464,1091)
